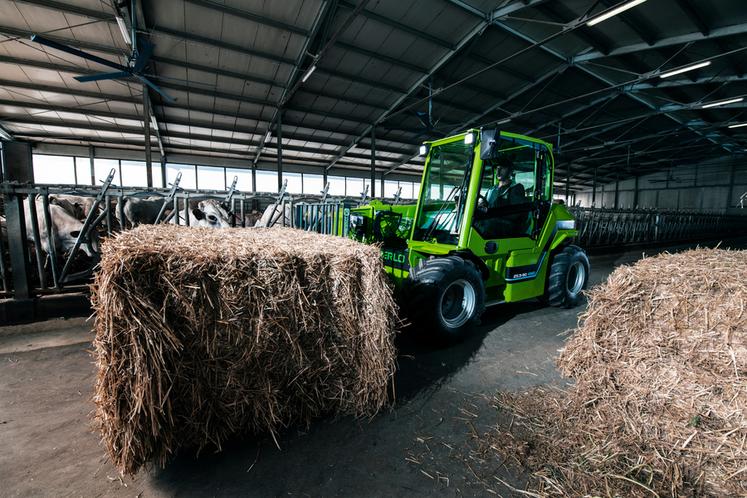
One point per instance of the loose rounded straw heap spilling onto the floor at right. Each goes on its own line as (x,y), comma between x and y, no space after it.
(659,405)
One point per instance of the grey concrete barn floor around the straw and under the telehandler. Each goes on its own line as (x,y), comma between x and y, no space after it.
(416,448)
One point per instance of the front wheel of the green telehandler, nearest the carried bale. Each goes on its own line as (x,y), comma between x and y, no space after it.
(446,297)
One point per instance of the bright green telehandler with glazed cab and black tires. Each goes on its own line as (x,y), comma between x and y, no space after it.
(484,231)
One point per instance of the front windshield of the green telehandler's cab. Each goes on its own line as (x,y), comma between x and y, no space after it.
(444,193)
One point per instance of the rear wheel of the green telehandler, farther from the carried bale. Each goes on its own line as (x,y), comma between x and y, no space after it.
(569,276)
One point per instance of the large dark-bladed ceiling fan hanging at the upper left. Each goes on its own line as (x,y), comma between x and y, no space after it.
(142,50)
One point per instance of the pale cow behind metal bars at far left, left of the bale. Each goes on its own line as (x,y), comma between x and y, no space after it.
(65,230)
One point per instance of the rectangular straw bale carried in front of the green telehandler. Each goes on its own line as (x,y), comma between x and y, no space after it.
(206,334)
